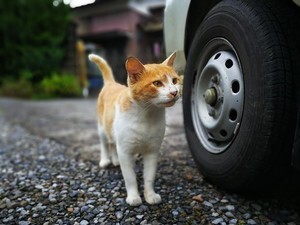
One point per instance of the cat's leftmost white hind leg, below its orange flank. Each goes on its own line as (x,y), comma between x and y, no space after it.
(104,148)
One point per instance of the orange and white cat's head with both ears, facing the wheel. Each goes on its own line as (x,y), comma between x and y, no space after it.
(153,84)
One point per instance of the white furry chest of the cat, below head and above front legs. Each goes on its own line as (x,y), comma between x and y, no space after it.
(139,131)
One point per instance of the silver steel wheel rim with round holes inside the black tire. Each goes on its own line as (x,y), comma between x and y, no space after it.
(217,98)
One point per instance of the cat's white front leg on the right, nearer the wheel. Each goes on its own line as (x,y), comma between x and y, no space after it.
(150,164)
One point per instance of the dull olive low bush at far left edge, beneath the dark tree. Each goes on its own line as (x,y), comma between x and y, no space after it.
(17,89)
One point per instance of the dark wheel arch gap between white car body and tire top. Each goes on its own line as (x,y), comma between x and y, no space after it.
(197,12)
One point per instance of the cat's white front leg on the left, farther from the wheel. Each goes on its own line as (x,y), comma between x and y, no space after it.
(127,166)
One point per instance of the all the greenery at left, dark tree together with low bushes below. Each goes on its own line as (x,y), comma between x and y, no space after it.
(33,39)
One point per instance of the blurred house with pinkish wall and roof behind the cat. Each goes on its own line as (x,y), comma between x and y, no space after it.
(116,29)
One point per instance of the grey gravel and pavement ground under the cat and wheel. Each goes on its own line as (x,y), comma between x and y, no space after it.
(50,175)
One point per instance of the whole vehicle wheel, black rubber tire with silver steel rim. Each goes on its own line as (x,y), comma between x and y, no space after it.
(238,100)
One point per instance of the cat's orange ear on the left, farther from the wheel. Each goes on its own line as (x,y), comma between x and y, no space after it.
(134,68)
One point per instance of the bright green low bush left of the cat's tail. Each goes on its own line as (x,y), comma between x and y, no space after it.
(60,86)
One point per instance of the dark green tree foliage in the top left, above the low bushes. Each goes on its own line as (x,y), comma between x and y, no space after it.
(33,33)
